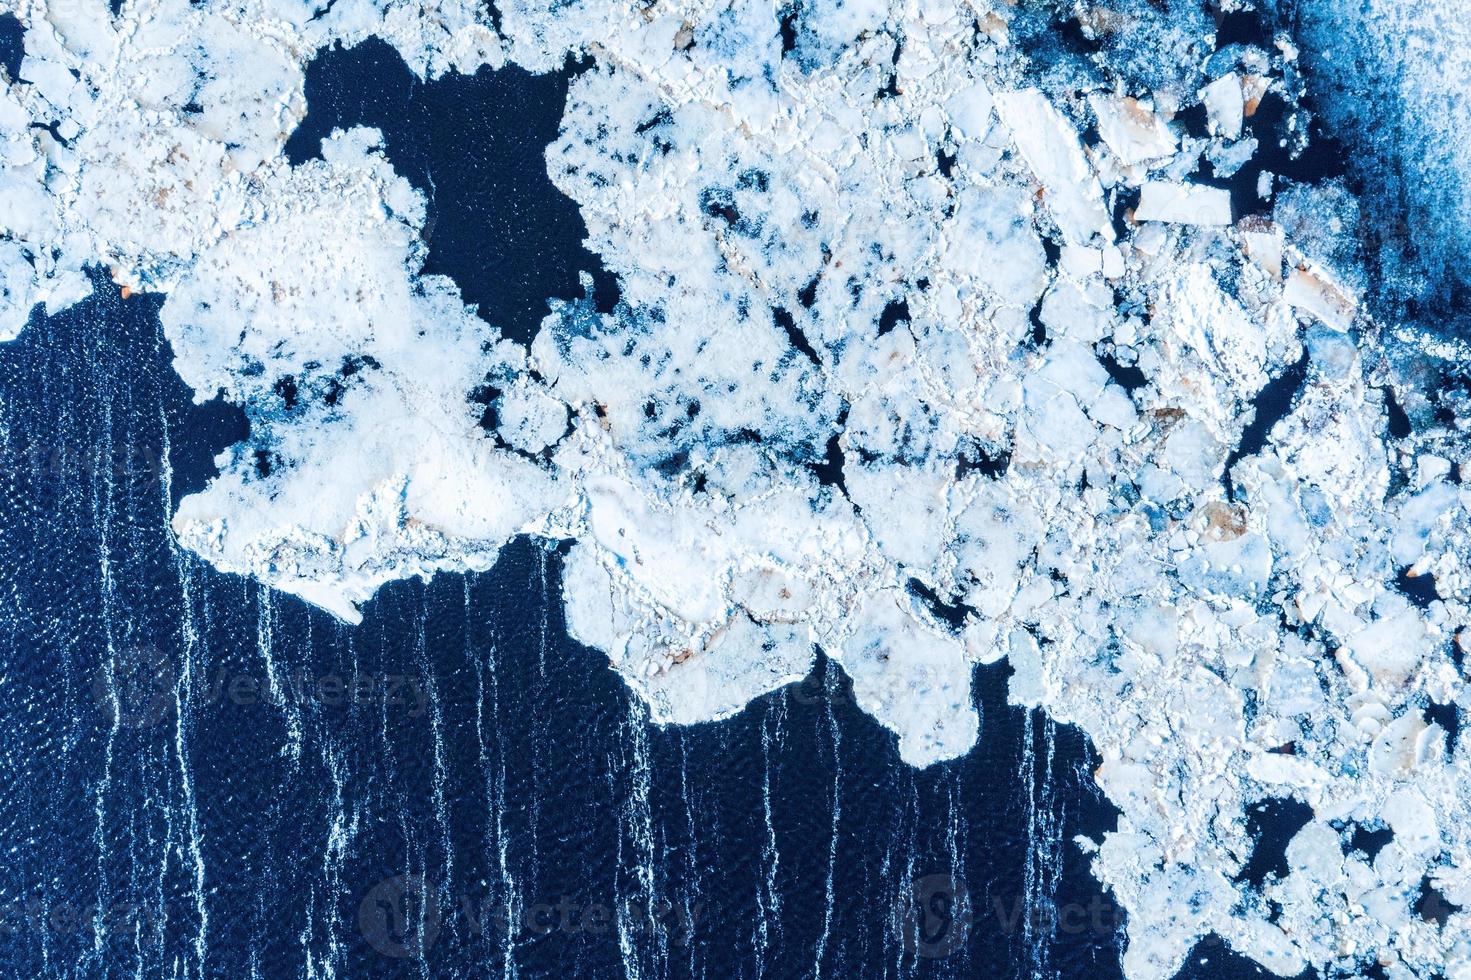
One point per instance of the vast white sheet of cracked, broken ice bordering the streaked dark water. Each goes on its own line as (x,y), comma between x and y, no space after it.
(948,333)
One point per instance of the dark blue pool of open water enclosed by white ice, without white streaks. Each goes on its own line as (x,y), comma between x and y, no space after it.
(473,145)
